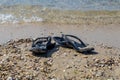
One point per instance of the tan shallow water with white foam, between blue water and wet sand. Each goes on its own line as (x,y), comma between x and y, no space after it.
(47,15)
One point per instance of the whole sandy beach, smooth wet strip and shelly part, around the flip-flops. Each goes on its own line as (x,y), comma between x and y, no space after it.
(17,62)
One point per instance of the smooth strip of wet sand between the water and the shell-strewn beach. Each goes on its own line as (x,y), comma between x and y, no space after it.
(92,34)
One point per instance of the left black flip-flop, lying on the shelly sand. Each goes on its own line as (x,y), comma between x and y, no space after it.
(42,45)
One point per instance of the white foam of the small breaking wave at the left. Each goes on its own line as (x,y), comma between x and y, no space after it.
(9,18)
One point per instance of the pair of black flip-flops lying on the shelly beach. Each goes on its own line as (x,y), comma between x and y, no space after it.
(45,44)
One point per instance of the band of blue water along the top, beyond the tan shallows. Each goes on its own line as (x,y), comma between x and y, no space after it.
(69,4)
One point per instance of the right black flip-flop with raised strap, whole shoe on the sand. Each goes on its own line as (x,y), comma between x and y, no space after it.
(66,41)
